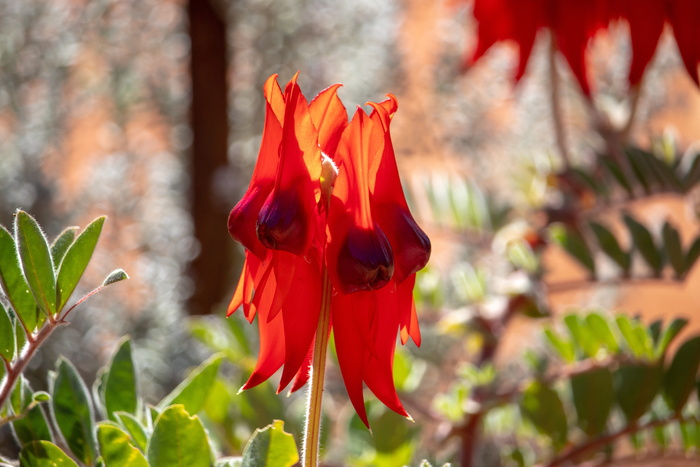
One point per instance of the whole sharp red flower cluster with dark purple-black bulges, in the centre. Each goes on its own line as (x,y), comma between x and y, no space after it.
(292,227)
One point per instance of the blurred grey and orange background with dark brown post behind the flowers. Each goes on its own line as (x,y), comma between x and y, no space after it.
(151,112)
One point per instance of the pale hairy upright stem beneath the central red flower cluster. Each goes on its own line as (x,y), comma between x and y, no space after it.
(312,429)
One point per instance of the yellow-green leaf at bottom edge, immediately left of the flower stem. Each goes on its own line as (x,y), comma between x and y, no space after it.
(271,447)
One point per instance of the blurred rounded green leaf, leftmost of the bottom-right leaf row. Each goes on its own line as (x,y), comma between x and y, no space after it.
(543,407)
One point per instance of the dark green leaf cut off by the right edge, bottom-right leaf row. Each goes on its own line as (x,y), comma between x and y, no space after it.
(679,381)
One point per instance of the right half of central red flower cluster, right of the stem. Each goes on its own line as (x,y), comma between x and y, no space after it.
(375,247)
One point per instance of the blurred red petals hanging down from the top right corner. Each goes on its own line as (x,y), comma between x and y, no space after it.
(573,23)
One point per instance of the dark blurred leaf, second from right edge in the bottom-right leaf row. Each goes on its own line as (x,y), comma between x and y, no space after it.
(636,386)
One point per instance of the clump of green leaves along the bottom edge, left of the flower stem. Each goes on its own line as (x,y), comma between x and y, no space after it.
(168,436)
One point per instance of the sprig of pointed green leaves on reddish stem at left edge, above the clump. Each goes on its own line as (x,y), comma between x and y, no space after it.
(36,281)
